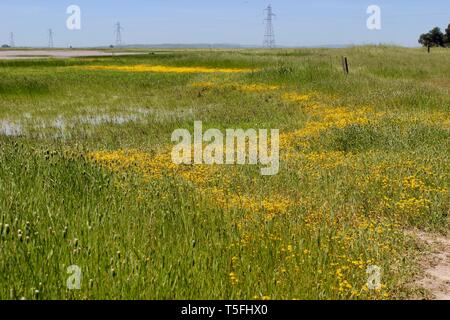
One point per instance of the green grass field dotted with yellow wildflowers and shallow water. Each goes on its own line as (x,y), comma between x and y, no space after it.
(85,177)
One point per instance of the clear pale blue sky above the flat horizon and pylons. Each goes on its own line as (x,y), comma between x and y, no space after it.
(297,22)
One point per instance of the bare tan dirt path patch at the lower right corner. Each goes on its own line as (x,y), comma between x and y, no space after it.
(436,264)
